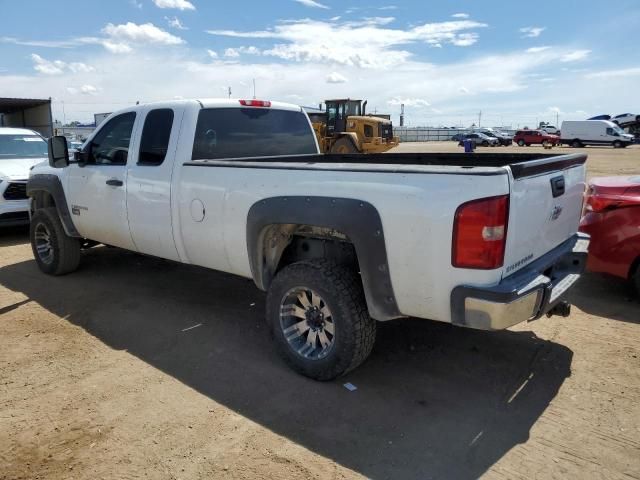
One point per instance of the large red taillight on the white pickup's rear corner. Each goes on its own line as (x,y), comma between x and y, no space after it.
(480,233)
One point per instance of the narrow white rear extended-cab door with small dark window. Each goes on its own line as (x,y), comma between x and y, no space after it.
(149,182)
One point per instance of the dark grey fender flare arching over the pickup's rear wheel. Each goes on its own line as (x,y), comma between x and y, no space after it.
(357,219)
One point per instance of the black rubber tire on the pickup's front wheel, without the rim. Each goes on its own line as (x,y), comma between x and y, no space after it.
(65,250)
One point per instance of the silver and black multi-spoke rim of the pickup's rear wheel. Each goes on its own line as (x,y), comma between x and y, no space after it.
(307,323)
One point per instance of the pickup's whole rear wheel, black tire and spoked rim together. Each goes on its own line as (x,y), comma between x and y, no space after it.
(318,317)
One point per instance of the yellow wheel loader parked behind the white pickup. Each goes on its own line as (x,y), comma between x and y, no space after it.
(344,127)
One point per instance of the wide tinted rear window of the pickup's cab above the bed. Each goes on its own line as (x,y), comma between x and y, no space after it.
(251,132)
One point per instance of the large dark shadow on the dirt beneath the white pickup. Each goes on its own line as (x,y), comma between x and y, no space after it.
(433,401)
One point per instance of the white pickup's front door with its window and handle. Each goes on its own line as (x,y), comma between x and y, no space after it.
(96,189)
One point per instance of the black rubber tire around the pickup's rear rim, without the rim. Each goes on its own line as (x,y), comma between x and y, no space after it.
(341,289)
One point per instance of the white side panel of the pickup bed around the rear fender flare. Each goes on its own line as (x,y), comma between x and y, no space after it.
(417,212)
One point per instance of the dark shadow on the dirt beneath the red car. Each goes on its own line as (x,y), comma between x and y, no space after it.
(621,301)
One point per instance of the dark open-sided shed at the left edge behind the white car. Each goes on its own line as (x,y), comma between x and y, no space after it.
(31,113)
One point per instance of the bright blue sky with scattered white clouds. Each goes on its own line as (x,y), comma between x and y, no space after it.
(445,61)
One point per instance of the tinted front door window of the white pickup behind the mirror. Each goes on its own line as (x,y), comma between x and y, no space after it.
(110,146)
